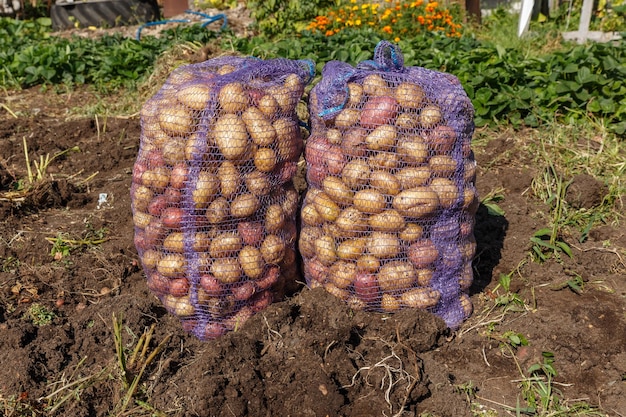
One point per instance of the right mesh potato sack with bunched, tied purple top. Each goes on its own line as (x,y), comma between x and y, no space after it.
(388,217)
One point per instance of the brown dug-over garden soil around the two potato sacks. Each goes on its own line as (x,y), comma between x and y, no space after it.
(307,355)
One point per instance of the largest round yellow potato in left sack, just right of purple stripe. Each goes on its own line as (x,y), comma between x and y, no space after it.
(231,137)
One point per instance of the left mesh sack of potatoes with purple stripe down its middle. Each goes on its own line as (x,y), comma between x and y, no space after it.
(212,194)
